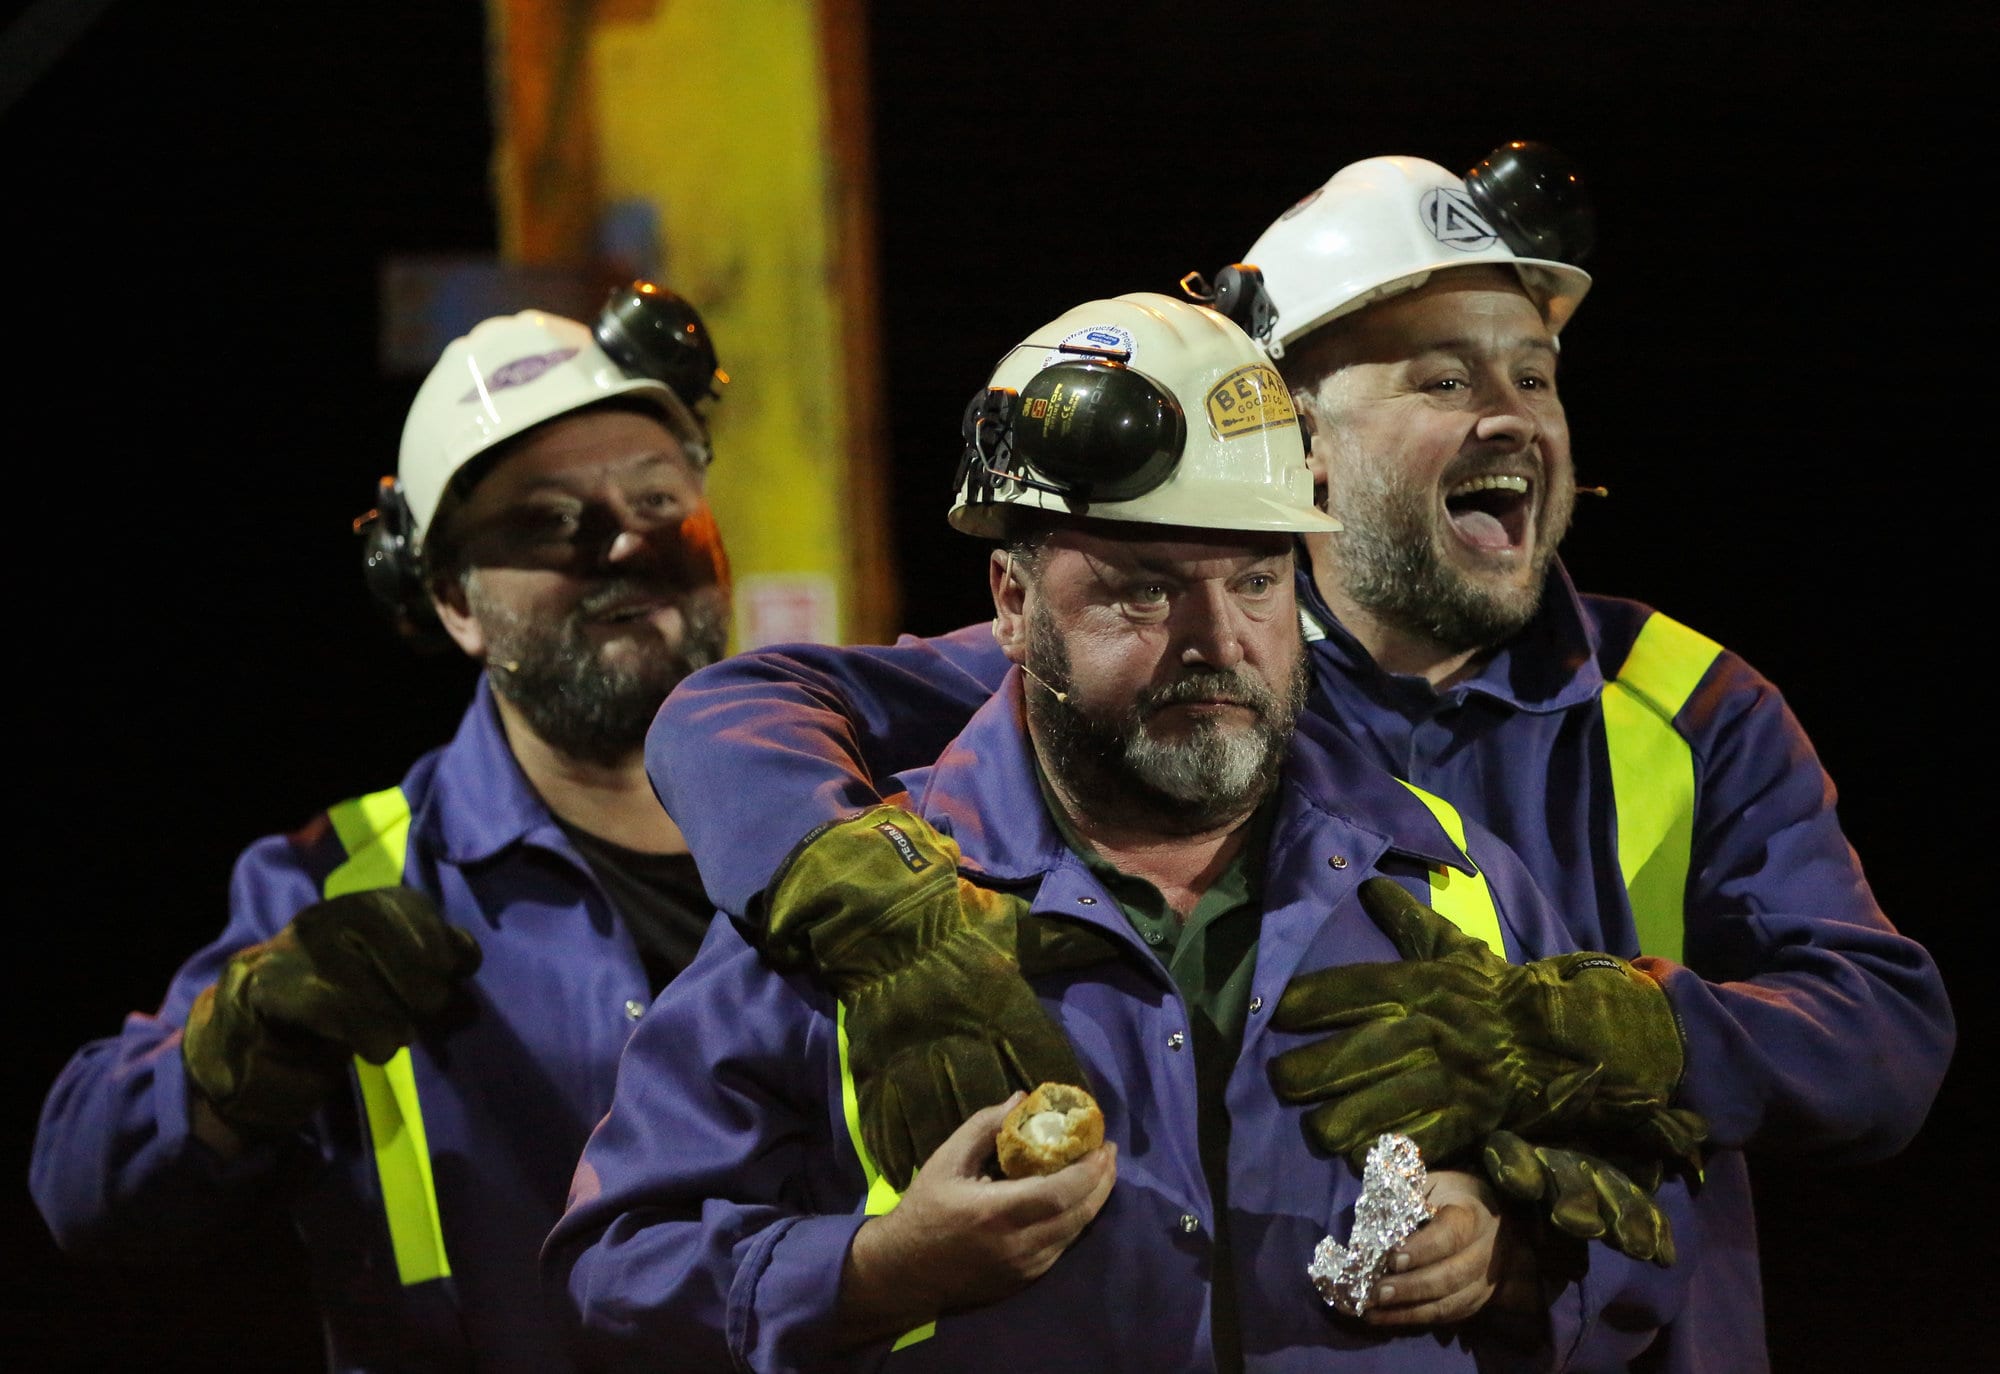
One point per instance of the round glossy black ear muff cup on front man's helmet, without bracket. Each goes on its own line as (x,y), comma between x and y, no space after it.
(1099,431)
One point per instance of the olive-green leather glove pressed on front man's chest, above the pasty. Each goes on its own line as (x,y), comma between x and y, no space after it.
(941,1021)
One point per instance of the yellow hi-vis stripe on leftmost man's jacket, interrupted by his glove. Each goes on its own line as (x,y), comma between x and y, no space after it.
(375,831)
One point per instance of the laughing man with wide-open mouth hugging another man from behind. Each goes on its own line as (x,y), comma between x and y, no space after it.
(1653,781)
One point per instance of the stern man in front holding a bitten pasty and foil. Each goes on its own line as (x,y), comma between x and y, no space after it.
(1145,825)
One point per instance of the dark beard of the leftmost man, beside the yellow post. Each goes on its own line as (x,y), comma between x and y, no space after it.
(551,673)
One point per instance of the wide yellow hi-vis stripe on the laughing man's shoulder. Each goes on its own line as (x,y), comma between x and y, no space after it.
(1653,777)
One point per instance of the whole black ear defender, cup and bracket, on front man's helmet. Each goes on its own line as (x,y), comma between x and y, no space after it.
(1089,431)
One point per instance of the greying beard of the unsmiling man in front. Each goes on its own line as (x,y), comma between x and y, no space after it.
(1117,773)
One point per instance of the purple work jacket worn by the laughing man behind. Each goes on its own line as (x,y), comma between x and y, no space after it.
(1813,1025)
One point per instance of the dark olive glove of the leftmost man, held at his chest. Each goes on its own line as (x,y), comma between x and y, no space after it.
(271,1039)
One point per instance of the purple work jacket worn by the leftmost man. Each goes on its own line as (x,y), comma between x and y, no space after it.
(509,1091)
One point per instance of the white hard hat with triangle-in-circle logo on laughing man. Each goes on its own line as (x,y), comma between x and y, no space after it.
(1383,227)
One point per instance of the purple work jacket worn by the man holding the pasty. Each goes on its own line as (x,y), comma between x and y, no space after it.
(715,1205)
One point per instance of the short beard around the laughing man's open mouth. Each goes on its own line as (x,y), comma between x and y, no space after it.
(1391,567)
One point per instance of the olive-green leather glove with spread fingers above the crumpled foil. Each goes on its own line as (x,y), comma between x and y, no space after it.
(1457,1043)
